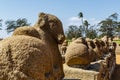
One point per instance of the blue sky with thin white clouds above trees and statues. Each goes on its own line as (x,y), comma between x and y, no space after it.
(66,10)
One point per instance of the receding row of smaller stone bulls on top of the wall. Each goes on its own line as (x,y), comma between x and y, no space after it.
(83,51)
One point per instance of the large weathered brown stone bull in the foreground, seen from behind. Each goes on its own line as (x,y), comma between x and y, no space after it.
(32,53)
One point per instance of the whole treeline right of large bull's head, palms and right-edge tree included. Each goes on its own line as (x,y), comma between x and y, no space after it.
(110,27)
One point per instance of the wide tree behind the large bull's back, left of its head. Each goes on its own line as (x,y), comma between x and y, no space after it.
(12,24)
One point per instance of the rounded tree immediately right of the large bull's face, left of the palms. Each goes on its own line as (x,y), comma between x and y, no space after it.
(73,32)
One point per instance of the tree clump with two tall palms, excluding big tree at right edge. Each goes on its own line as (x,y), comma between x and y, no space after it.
(83,30)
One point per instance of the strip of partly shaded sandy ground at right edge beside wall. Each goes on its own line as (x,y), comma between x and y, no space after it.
(116,74)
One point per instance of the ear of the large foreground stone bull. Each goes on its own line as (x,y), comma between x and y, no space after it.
(43,19)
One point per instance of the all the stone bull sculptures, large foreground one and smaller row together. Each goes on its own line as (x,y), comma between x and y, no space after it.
(32,52)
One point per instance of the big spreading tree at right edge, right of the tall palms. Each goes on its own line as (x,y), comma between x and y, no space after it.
(110,26)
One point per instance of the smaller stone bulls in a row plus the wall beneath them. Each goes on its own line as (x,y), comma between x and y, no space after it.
(84,55)
